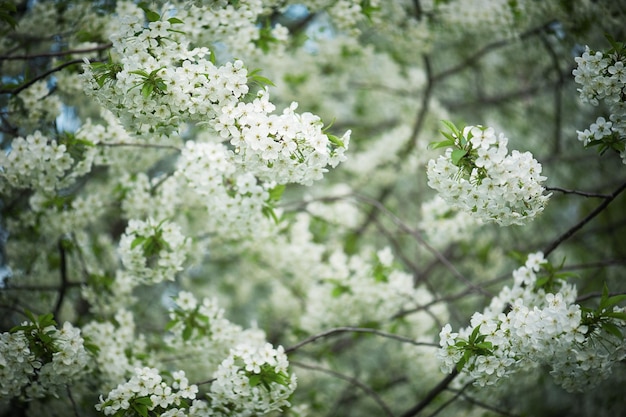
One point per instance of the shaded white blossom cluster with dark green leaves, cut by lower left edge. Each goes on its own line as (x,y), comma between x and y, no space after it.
(37,359)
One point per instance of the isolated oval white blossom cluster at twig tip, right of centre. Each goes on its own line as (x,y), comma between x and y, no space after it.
(478,175)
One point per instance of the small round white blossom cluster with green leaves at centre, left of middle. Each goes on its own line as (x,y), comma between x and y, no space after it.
(153,252)
